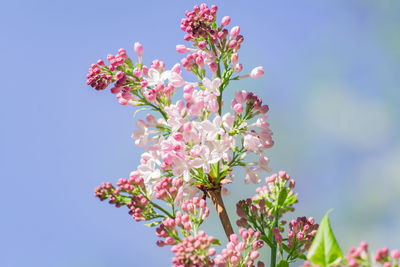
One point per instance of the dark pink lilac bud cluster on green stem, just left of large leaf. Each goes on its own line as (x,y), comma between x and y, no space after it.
(264,213)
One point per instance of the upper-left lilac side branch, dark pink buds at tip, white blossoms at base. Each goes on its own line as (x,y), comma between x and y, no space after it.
(135,84)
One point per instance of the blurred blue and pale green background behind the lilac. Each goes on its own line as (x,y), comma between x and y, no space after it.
(332,81)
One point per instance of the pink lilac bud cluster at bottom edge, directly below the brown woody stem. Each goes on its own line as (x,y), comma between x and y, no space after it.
(243,253)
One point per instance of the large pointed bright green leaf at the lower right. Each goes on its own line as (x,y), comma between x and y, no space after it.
(325,250)
